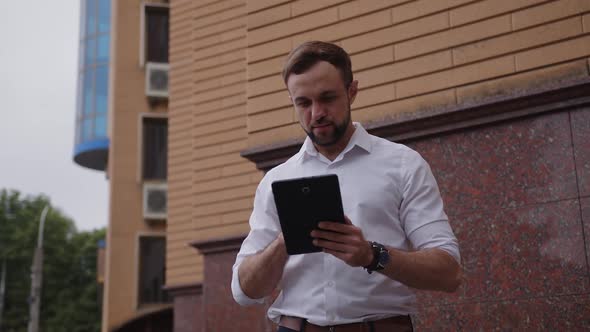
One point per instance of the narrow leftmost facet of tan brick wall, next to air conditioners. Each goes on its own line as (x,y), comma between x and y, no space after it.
(180,146)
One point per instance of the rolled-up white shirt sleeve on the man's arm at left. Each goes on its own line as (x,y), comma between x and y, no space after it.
(264,228)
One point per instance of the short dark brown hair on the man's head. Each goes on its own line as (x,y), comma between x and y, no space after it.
(309,53)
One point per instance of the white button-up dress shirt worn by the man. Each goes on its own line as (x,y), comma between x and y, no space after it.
(388,191)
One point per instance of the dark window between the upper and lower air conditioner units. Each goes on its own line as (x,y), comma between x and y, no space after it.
(155,148)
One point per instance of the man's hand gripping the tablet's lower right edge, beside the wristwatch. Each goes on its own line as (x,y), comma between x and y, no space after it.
(344,241)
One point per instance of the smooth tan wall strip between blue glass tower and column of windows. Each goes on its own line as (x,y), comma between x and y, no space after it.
(127,103)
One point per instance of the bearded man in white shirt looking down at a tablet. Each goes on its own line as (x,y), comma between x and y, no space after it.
(395,223)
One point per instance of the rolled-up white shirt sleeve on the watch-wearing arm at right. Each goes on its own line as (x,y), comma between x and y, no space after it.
(422,211)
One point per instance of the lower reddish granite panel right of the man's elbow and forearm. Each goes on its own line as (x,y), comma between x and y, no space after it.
(528,251)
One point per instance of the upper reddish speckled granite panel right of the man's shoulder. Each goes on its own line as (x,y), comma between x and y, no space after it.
(503,166)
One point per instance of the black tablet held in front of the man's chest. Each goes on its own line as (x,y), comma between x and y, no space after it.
(301,204)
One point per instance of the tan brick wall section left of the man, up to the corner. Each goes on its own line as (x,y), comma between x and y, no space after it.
(210,185)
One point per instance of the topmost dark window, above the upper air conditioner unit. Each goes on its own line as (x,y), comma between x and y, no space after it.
(156,32)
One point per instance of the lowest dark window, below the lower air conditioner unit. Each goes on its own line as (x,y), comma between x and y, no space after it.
(152,269)
